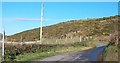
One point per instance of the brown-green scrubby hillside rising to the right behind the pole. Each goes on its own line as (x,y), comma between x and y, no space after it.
(74,28)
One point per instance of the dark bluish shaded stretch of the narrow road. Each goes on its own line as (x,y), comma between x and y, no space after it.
(90,55)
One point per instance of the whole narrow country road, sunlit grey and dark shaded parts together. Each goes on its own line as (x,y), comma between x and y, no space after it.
(87,55)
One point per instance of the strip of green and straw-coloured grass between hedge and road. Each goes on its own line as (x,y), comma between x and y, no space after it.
(38,56)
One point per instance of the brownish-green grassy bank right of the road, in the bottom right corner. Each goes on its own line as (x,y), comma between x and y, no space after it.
(111,53)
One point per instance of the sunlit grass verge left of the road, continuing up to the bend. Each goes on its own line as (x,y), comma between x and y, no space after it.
(78,46)
